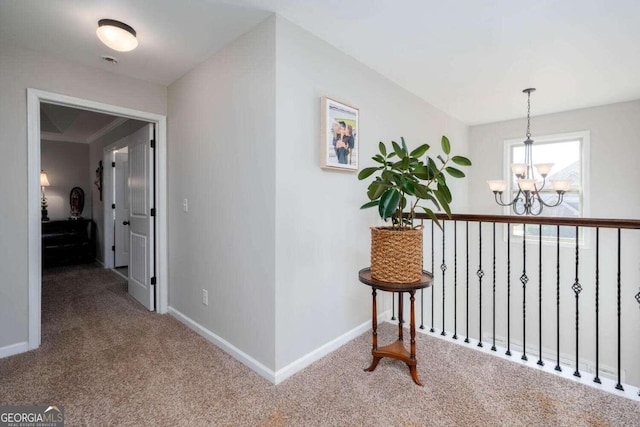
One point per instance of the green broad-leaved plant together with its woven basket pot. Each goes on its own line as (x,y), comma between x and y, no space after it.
(402,180)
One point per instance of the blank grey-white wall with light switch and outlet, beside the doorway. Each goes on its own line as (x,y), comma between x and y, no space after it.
(222,159)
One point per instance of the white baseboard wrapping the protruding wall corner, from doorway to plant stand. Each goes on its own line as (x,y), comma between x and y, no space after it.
(290,369)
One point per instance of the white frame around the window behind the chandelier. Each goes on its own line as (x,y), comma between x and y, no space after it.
(585,142)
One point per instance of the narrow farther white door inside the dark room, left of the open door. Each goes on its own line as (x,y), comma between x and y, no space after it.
(121,197)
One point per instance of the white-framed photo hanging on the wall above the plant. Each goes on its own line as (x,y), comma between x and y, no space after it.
(339,138)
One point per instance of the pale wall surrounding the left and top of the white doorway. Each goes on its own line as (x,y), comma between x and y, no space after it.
(21,69)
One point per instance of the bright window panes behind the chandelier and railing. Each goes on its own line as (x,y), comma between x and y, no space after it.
(568,153)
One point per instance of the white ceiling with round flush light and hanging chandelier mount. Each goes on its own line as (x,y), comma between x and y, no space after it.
(470,58)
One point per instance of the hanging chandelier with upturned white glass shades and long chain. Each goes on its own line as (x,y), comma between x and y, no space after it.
(528,200)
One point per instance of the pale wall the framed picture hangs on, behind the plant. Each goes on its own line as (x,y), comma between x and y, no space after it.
(322,238)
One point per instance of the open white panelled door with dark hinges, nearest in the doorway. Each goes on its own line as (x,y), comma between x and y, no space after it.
(141,223)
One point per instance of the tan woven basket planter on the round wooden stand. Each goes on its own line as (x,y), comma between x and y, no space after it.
(396,256)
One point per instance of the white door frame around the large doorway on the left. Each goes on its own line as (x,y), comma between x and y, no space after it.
(34,98)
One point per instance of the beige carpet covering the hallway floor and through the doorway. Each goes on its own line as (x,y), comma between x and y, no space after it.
(110,362)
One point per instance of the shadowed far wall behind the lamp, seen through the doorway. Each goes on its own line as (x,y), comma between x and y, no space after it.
(67,166)
